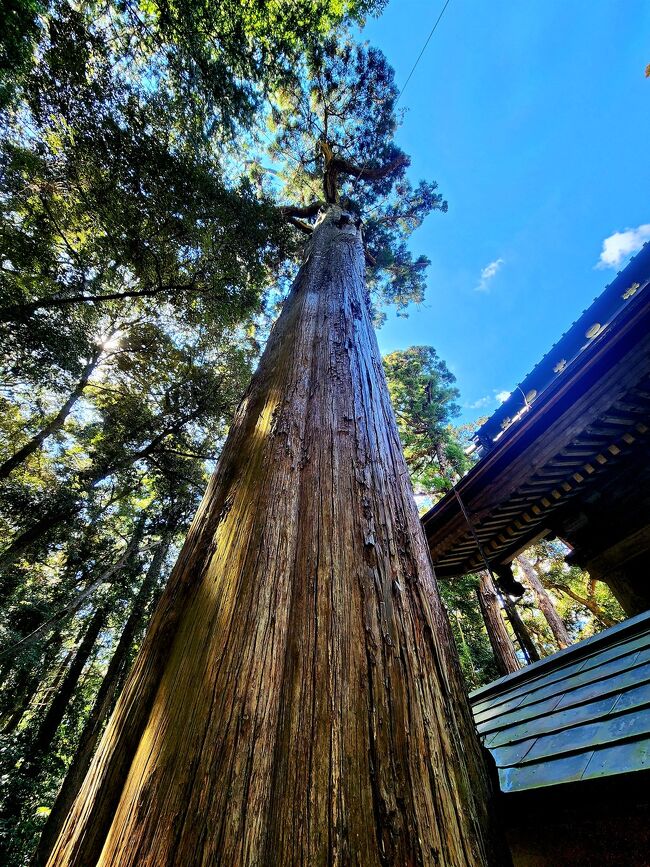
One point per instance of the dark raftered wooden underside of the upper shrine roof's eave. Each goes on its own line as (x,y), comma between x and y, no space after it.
(505,492)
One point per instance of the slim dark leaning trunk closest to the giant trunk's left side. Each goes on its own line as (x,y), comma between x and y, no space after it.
(101,708)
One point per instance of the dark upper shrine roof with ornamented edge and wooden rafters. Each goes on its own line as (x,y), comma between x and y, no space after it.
(578,420)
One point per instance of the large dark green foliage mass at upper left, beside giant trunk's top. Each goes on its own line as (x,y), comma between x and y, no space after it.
(105,204)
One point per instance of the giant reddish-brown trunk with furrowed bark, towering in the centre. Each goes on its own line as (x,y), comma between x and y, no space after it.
(296,699)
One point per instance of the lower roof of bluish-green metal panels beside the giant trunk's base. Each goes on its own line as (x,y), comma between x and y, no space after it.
(581,714)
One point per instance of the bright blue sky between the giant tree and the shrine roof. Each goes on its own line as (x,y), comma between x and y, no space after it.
(534,118)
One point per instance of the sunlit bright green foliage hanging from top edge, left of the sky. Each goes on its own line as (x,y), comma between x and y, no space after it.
(221,57)
